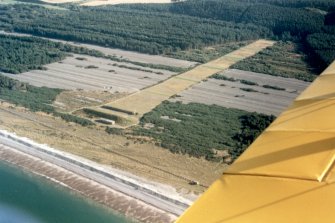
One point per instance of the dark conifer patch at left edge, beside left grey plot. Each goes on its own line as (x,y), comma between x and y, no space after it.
(20,54)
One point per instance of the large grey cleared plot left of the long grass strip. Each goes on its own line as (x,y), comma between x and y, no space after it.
(91,73)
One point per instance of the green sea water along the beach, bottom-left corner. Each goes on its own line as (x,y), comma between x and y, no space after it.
(27,198)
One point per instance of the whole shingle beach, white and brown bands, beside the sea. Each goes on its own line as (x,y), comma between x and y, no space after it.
(139,200)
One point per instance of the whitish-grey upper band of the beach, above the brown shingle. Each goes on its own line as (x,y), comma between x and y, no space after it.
(155,195)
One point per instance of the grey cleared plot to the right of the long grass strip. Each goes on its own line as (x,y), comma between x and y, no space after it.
(231,94)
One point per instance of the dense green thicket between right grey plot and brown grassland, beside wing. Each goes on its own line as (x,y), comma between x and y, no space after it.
(202,130)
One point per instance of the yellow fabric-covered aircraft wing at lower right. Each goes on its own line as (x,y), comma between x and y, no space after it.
(287,175)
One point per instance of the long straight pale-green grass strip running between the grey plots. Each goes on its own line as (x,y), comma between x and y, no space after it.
(147,99)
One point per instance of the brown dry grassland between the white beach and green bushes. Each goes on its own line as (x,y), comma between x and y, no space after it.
(139,157)
